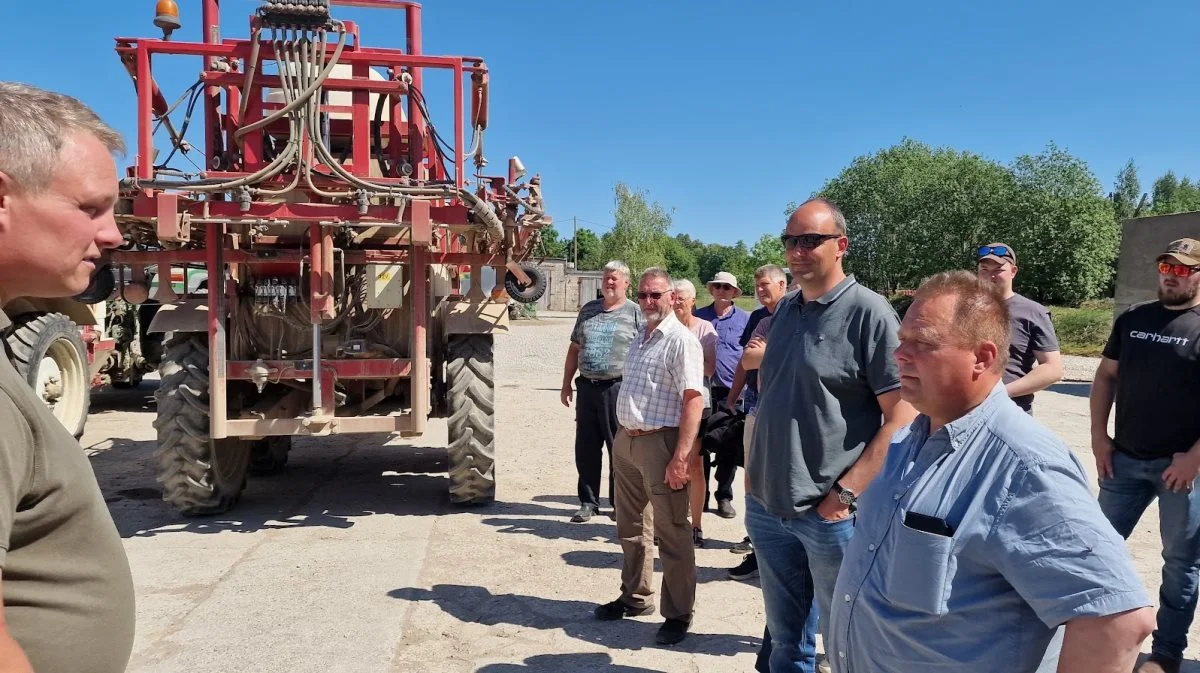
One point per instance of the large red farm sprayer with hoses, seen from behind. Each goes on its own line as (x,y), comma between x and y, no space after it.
(332,219)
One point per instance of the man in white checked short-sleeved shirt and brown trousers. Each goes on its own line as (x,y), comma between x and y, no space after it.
(659,411)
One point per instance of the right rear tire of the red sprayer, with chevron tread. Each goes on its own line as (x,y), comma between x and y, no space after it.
(471,389)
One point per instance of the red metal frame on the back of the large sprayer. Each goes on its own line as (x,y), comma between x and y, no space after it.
(223,220)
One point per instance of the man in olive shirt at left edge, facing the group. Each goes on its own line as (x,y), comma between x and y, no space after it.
(65,580)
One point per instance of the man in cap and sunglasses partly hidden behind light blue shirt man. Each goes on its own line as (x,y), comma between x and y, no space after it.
(1034,360)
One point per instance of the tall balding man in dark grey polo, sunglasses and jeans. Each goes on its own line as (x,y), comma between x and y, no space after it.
(829,406)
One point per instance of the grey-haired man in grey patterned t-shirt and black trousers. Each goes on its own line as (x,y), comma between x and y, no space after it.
(603,333)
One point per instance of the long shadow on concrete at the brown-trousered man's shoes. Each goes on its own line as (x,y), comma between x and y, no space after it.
(478,605)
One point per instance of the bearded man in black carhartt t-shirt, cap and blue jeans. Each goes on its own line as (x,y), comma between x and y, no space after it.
(1151,366)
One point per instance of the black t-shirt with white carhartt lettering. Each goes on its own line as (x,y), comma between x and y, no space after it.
(1159,380)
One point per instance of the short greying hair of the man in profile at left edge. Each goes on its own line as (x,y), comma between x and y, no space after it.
(35,124)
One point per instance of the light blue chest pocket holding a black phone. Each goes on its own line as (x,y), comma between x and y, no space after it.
(921,570)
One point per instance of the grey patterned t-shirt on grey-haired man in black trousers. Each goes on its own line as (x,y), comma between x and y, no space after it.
(604,338)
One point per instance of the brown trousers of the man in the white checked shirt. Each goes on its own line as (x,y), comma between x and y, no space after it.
(641,466)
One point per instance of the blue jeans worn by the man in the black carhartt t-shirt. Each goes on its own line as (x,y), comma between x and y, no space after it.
(1124,500)
